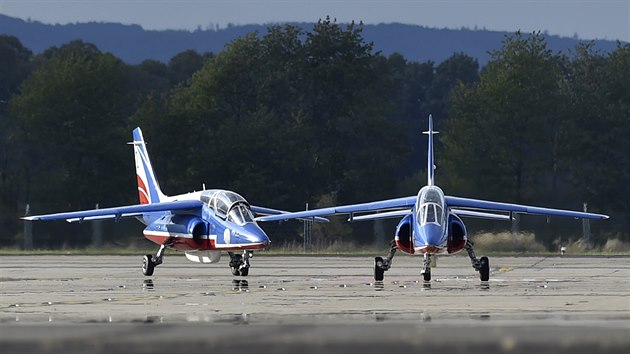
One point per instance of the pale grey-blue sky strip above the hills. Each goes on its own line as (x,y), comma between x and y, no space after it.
(589,19)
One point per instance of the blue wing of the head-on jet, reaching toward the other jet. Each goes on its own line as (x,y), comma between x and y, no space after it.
(382,205)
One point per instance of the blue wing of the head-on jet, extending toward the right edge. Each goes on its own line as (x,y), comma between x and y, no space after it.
(476,204)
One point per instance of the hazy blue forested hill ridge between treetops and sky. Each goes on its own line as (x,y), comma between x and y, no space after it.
(133,44)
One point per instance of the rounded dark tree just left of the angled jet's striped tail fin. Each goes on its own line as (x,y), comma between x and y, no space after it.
(70,118)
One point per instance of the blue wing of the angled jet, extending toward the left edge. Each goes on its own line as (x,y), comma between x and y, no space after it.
(119,212)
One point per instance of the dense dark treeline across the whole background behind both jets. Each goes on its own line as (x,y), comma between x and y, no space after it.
(291,117)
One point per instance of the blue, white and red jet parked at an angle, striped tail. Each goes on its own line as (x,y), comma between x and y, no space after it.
(200,223)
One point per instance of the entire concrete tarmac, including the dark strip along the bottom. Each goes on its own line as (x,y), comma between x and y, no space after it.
(102,304)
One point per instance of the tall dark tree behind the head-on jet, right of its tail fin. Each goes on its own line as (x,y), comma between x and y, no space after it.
(504,133)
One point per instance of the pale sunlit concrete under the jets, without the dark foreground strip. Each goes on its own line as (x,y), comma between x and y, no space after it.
(319,291)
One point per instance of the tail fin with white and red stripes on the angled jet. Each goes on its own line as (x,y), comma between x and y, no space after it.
(148,187)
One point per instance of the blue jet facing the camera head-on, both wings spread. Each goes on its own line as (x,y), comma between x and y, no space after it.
(431,222)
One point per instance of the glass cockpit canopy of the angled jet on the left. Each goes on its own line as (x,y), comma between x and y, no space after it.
(227,204)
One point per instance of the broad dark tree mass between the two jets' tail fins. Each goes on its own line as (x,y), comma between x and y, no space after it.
(287,117)
